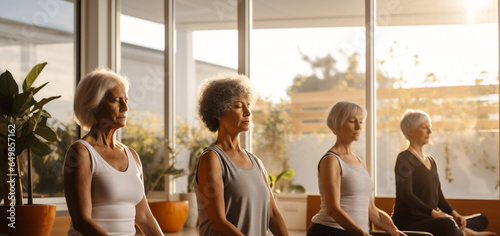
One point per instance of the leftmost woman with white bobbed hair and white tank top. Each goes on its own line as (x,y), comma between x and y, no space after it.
(103,177)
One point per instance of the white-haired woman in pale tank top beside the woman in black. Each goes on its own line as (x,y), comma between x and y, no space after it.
(345,186)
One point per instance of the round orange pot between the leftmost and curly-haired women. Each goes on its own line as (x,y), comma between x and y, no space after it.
(170,215)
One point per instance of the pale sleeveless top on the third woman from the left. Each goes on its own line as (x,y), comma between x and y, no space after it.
(355,191)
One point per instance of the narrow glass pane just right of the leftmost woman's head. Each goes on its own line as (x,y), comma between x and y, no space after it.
(142,39)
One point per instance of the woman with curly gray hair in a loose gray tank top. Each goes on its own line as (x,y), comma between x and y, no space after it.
(231,183)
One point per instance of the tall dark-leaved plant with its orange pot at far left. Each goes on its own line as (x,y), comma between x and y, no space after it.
(23,129)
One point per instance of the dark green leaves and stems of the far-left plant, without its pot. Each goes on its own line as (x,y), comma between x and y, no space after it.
(23,126)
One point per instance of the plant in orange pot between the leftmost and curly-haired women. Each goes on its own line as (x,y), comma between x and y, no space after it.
(142,134)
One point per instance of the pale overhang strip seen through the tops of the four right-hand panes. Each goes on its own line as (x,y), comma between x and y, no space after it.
(221,14)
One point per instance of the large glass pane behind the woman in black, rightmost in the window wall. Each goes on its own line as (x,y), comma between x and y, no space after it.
(440,57)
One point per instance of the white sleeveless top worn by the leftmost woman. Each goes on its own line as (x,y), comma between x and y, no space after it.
(114,194)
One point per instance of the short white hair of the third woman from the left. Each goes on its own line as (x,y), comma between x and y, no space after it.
(342,111)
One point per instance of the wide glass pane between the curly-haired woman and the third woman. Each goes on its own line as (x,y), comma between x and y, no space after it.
(305,57)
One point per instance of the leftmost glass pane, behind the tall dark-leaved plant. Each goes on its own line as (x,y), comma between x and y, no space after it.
(30,32)
